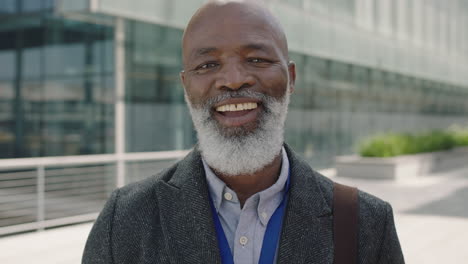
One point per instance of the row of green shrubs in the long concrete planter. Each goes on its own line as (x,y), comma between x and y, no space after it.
(396,144)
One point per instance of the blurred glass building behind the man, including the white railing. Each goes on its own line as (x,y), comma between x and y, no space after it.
(90,96)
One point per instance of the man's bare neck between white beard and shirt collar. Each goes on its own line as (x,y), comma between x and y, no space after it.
(246,185)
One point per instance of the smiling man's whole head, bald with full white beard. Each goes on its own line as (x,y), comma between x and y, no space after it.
(237,81)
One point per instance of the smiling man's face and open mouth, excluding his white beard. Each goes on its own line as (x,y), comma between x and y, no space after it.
(225,55)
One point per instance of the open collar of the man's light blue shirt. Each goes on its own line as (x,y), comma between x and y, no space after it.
(267,200)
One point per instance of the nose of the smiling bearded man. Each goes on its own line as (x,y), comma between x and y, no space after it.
(234,76)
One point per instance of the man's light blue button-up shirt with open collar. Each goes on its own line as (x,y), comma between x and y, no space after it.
(244,228)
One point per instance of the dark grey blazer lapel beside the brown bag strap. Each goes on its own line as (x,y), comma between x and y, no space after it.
(307,234)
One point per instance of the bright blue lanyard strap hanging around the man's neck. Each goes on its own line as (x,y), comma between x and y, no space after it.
(270,239)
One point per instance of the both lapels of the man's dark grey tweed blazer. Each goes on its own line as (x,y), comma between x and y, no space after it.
(188,226)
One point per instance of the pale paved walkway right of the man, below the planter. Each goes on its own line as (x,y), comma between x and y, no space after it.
(431,214)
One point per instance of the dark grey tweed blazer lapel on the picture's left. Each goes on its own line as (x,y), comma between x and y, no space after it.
(185,214)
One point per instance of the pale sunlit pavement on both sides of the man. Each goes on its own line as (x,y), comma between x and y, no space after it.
(431,215)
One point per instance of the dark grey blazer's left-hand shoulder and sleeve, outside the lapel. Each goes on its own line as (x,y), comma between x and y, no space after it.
(129,219)
